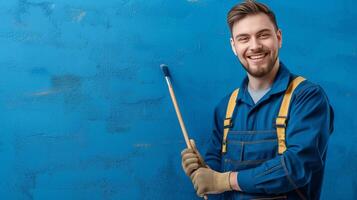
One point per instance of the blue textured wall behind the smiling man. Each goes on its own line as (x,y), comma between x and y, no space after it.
(85,112)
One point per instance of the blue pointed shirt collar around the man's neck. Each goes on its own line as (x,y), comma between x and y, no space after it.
(280,84)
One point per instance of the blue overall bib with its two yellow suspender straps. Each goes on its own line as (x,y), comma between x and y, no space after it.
(248,149)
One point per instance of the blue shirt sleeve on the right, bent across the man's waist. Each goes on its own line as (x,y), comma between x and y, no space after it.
(307,133)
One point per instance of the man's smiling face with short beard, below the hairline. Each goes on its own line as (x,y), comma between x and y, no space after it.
(256,43)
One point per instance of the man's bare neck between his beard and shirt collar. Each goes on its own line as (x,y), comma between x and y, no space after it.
(262,83)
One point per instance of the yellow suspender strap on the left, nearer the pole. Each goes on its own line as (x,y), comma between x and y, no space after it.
(228,121)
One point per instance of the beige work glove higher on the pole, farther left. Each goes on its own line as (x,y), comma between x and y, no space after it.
(191,159)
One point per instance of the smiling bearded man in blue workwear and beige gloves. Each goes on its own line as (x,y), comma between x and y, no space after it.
(270,136)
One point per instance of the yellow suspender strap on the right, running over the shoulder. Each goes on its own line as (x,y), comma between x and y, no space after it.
(283,114)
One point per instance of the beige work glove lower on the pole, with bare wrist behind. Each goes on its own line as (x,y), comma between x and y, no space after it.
(208,181)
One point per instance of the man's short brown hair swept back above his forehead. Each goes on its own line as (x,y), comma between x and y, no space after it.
(249,7)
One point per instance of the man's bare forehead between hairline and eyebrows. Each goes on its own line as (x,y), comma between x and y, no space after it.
(252,24)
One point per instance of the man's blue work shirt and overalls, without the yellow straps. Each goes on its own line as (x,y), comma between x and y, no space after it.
(252,142)
